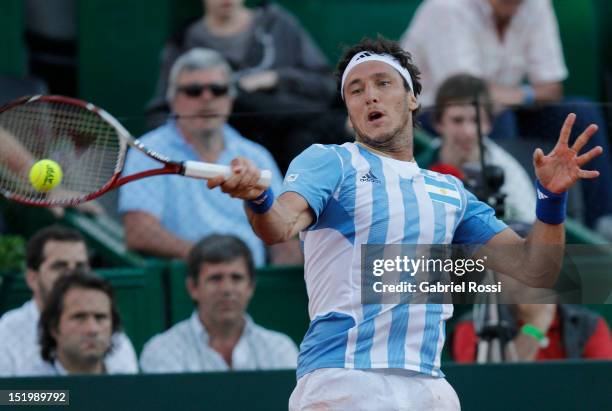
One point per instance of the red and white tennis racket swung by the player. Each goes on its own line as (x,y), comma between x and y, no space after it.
(89,145)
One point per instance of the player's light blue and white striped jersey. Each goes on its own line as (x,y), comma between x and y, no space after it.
(359,197)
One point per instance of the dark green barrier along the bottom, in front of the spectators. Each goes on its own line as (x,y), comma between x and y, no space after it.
(557,386)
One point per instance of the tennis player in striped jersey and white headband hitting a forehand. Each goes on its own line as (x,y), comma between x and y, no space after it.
(387,357)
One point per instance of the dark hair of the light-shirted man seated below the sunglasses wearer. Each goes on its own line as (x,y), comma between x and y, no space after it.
(217,248)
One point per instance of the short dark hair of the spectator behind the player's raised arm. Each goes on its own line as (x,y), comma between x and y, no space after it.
(462,89)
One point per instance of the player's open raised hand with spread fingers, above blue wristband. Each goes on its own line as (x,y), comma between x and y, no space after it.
(561,168)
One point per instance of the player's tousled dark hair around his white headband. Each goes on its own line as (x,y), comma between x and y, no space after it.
(381,45)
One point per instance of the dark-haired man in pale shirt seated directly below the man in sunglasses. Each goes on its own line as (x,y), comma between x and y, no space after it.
(219,335)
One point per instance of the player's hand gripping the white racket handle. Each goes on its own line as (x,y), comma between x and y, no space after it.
(243,182)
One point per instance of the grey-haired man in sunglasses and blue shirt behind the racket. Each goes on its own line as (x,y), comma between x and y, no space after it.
(164,215)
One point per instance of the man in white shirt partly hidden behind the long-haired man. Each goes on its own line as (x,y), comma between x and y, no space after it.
(51,253)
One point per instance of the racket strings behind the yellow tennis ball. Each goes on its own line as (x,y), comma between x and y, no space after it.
(85,146)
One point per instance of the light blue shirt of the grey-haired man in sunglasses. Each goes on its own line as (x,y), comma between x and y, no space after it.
(185,206)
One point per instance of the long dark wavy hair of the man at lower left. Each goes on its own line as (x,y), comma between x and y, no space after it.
(51,314)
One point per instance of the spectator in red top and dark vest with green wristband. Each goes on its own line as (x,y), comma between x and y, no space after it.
(541,332)
